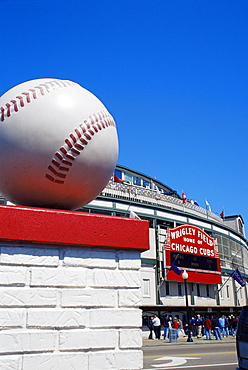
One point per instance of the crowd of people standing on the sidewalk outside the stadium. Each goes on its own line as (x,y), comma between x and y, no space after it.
(208,326)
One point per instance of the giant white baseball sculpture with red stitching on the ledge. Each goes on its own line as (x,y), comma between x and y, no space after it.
(58,144)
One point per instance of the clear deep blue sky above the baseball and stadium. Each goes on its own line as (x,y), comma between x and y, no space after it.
(173,73)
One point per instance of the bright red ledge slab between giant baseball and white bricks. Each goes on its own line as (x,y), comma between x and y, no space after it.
(43,227)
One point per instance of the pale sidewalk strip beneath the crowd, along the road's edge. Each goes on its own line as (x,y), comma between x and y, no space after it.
(183,340)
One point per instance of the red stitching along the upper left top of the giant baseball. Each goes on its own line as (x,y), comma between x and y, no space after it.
(25,97)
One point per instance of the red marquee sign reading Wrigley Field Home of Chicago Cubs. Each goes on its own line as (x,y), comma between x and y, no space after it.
(189,248)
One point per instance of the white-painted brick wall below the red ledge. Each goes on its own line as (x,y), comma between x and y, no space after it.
(74,308)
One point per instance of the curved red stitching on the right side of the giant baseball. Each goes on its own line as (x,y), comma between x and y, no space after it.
(103,121)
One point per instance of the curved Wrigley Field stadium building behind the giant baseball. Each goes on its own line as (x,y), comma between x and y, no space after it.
(211,287)
